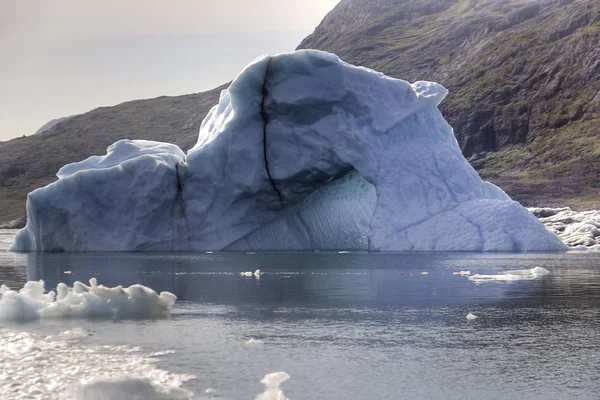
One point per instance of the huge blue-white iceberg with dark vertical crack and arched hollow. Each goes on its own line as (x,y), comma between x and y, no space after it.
(303,152)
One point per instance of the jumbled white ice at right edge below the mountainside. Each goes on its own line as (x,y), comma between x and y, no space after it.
(578,230)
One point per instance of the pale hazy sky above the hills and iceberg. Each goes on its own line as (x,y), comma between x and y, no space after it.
(63,57)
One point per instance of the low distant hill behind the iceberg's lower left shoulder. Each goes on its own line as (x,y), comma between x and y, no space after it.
(30,162)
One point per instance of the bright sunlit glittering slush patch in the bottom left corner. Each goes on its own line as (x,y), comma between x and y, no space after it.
(51,368)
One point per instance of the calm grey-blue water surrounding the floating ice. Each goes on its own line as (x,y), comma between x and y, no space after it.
(343,326)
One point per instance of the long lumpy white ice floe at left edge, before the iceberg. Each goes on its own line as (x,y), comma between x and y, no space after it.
(82,301)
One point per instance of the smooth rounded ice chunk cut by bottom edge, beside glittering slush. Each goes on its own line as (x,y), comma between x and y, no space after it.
(125,388)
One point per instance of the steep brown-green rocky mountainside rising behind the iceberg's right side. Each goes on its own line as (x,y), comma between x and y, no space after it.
(523,75)
